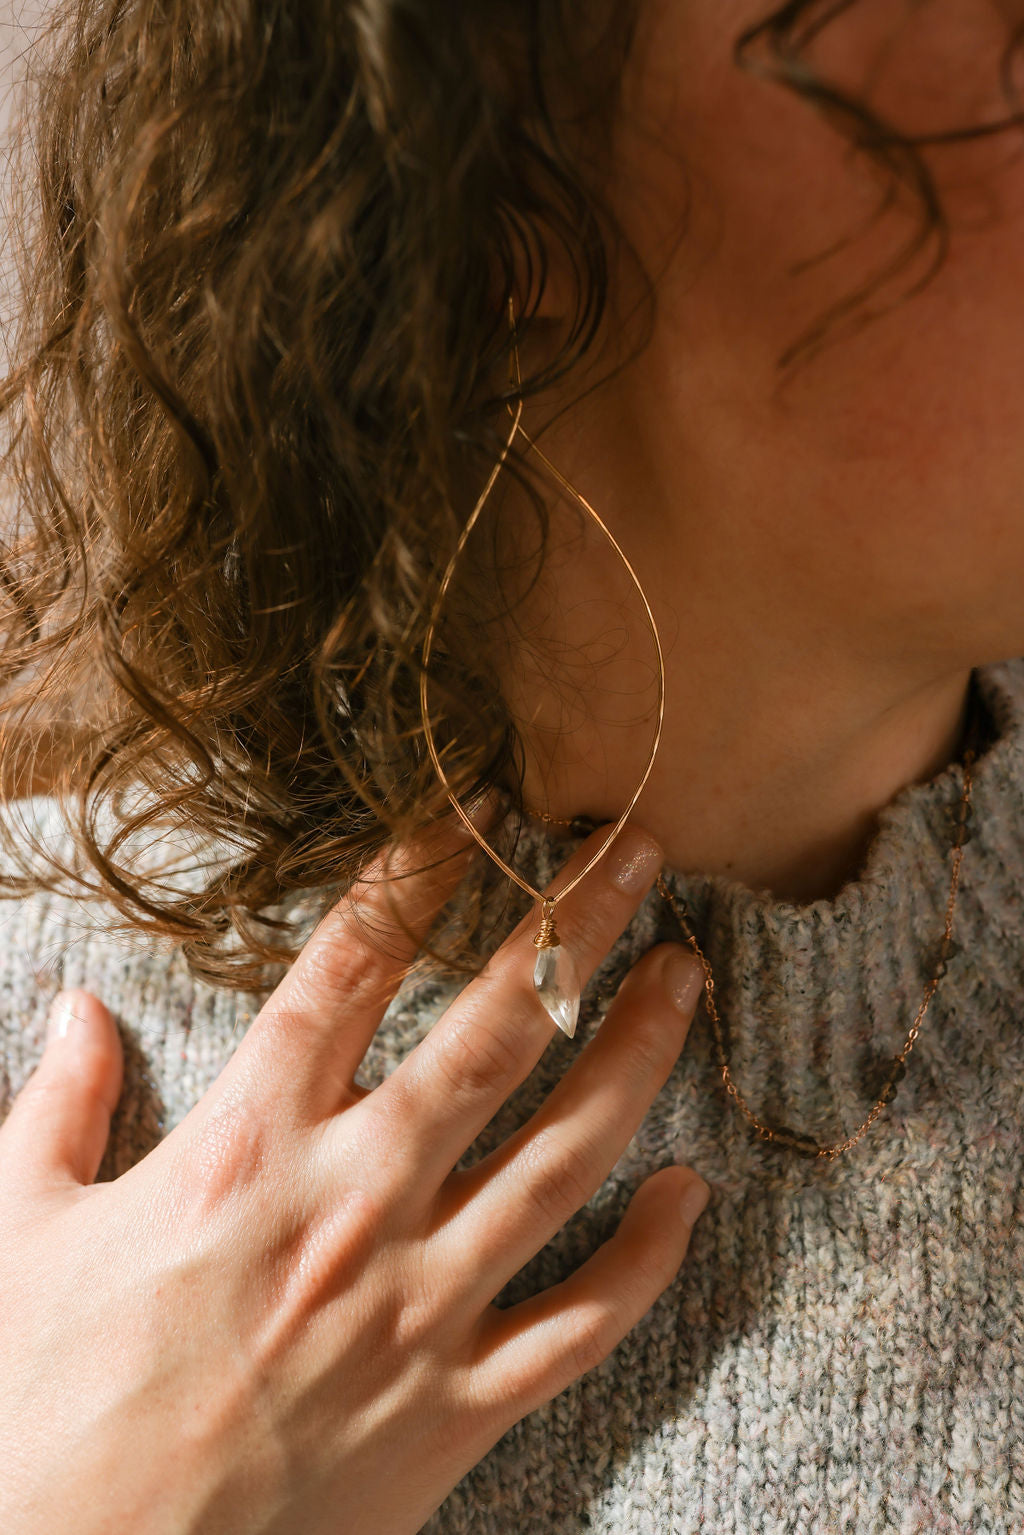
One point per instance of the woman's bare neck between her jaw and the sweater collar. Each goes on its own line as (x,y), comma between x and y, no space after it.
(776,758)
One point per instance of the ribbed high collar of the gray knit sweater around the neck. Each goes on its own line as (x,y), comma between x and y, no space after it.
(813,995)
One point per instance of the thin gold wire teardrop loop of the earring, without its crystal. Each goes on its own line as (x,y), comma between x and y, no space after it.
(549,902)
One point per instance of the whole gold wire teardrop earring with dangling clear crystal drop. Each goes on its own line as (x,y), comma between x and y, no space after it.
(555,975)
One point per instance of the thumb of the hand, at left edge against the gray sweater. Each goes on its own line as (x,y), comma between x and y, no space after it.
(59,1126)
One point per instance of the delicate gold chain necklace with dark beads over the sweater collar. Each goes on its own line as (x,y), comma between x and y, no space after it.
(782,1135)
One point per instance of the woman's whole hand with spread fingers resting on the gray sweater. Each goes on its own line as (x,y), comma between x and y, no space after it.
(282,1318)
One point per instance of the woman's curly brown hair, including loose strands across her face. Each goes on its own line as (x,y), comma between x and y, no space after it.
(266,256)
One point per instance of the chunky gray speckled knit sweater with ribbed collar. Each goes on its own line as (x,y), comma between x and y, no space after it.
(842,1350)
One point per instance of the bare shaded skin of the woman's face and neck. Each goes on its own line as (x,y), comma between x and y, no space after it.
(828,560)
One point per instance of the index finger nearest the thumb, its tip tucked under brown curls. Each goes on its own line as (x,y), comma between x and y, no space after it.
(309,1038)
